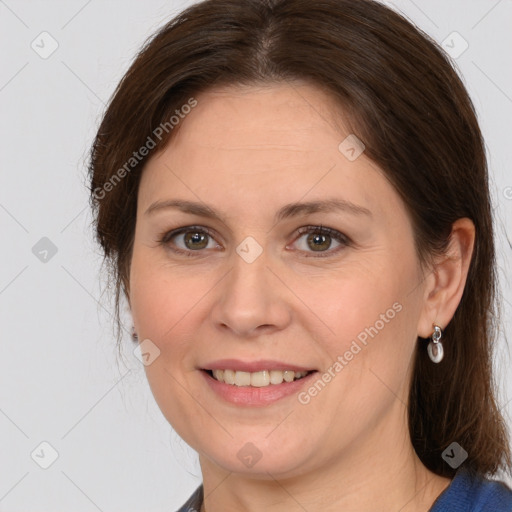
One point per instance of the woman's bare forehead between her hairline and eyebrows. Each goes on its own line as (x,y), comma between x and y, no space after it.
(261,145)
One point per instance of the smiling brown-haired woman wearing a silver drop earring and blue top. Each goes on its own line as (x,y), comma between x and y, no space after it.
(293,198)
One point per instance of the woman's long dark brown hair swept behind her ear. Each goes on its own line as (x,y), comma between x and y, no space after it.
(407,104)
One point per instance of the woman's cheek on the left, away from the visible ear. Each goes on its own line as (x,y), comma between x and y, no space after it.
(163,308)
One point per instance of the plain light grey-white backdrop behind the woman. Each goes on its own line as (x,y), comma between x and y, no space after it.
(105,442)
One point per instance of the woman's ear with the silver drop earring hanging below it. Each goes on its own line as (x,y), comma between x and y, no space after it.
(445,282)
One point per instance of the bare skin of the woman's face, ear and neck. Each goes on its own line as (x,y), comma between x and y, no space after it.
(246,152)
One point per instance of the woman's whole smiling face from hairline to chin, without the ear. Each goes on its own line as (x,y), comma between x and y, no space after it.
(286,267)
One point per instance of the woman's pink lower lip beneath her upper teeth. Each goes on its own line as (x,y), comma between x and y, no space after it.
(254,396)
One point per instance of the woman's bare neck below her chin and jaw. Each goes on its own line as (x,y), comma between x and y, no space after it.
(384,471)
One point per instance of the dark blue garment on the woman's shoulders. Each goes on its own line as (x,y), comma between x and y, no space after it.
(466,493)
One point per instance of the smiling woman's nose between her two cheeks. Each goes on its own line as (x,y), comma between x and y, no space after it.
(251,299)
